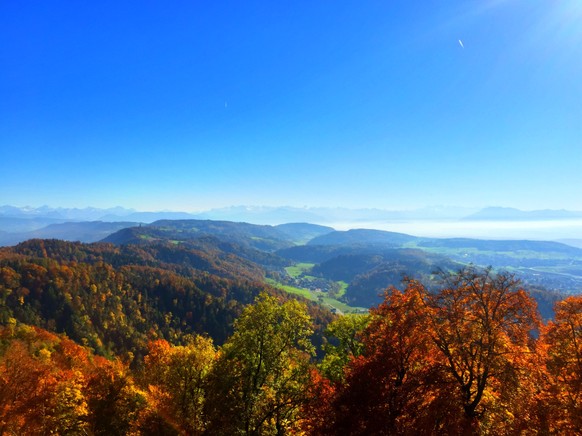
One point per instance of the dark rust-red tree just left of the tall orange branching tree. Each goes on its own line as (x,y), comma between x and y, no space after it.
(382,391)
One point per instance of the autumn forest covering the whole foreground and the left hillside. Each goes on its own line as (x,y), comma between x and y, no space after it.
(165,339)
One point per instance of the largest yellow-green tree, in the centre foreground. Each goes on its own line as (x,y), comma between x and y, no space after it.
(260,379)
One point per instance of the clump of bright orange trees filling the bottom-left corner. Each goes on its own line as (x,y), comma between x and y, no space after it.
(50,385)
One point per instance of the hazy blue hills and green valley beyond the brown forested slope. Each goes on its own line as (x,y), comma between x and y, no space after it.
(344,271)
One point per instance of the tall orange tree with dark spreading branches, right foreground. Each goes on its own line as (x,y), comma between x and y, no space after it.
(482,325)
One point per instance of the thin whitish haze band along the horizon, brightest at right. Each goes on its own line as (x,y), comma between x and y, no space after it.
(437,221)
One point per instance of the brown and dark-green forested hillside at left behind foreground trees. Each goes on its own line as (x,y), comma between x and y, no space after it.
(115,298)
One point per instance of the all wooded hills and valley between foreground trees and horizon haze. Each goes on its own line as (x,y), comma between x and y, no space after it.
(196,275)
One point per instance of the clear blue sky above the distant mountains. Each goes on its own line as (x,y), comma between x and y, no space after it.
(189,105)
